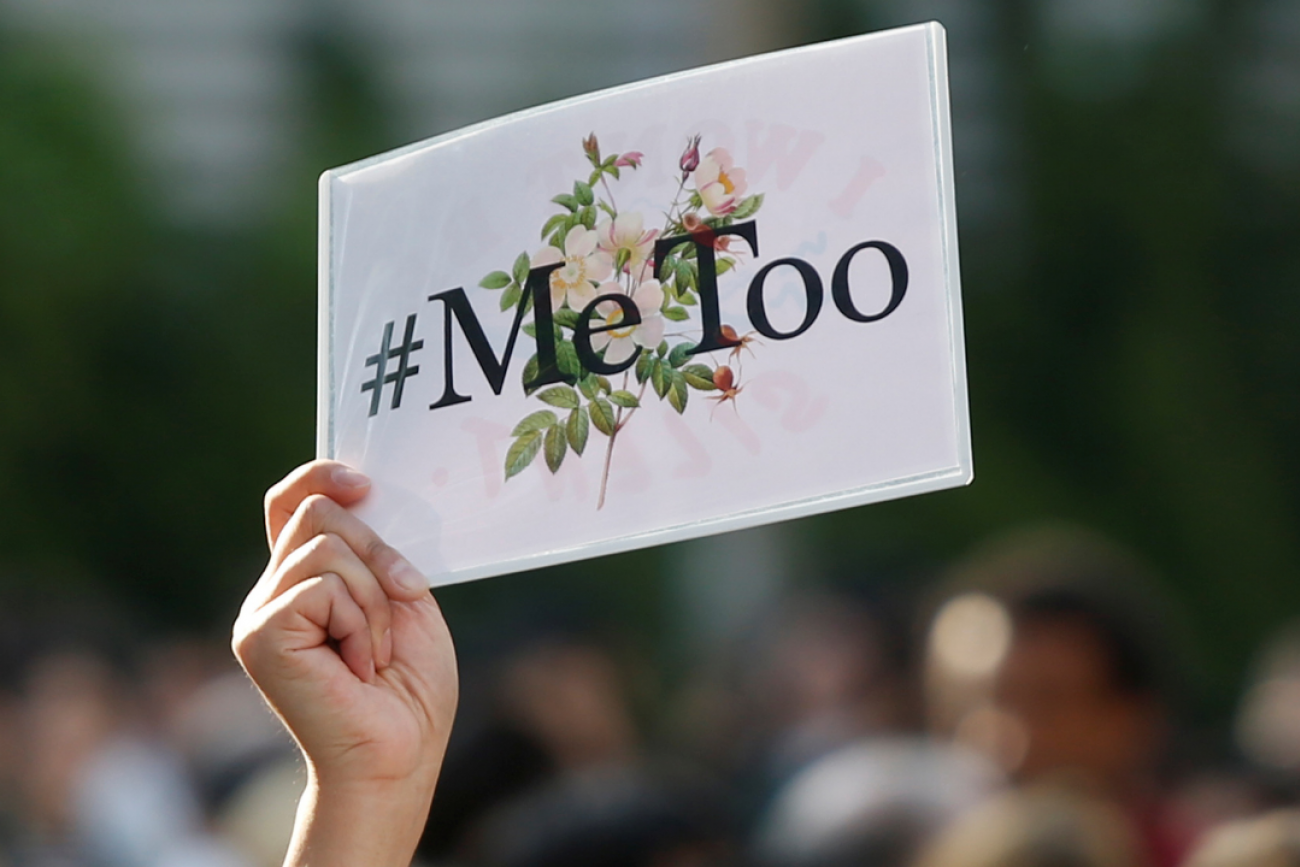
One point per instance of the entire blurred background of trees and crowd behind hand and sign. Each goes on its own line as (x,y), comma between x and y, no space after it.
(1090,657)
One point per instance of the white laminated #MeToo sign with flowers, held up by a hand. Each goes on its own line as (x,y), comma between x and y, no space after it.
(688,305)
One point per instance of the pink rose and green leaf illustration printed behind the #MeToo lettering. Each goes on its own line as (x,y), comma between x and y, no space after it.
(599,253)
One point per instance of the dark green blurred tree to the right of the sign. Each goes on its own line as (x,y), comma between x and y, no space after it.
(1134,378)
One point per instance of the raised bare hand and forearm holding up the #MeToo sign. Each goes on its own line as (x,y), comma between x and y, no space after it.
(345,641)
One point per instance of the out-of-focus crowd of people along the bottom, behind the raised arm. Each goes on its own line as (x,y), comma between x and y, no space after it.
(1029,709)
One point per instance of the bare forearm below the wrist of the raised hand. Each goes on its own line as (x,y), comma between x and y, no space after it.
(374,825)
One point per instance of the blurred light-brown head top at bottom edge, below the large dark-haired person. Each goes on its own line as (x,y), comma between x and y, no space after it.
(1037,827)
